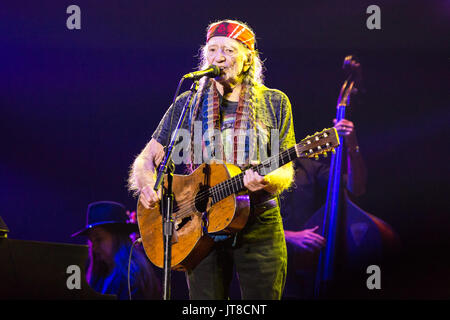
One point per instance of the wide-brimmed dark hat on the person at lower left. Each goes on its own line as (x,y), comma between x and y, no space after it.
(107,212)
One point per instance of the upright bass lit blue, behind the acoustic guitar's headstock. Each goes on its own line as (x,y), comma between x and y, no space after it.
(355,239)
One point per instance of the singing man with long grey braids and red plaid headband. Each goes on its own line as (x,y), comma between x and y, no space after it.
(248,117)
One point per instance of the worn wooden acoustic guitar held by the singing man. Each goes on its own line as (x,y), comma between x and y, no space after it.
(213,200)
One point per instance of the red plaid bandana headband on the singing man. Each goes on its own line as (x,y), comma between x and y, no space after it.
(233,30)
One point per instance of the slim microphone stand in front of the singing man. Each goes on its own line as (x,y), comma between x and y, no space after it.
(167,167)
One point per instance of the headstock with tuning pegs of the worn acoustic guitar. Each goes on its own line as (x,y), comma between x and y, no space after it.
(318,144)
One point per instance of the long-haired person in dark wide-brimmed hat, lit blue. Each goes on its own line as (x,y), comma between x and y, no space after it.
(108,231)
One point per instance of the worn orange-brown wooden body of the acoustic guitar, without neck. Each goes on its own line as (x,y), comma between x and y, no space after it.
(190,243)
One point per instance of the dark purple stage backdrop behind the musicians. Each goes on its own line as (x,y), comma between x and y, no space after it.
(78,105)
